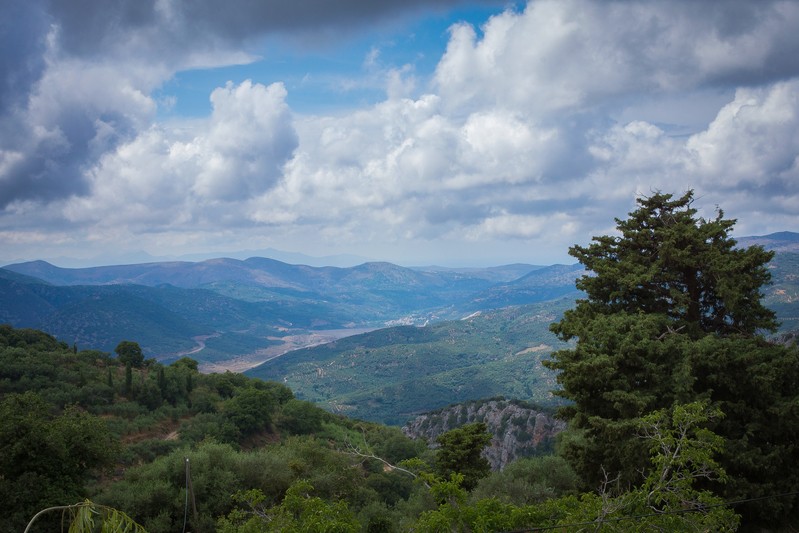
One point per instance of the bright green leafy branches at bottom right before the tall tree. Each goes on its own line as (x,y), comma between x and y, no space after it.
(682,453)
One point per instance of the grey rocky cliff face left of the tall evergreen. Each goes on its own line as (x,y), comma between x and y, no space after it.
(519,429)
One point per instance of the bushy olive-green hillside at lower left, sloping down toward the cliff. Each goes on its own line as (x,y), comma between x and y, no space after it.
(80,423)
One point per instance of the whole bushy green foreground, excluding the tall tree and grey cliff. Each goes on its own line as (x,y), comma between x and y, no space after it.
(171,449)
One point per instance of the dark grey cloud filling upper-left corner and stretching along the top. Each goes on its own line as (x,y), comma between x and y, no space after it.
(44,157)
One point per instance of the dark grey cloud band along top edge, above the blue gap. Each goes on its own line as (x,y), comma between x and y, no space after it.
(89,26)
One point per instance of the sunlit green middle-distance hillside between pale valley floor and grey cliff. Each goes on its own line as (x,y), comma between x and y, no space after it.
(378,375)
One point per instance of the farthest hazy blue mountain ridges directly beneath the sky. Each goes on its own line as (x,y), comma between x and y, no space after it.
(370,293)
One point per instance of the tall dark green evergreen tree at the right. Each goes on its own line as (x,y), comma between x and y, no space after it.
(672,314)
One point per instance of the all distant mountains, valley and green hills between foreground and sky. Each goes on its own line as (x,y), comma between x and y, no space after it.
(363,340)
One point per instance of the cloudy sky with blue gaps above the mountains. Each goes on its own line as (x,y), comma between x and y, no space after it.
(420,132)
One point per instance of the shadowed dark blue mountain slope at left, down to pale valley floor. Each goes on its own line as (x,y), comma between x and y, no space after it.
(164,320)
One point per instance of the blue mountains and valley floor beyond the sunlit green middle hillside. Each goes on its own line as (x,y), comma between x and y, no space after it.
(234,308)
